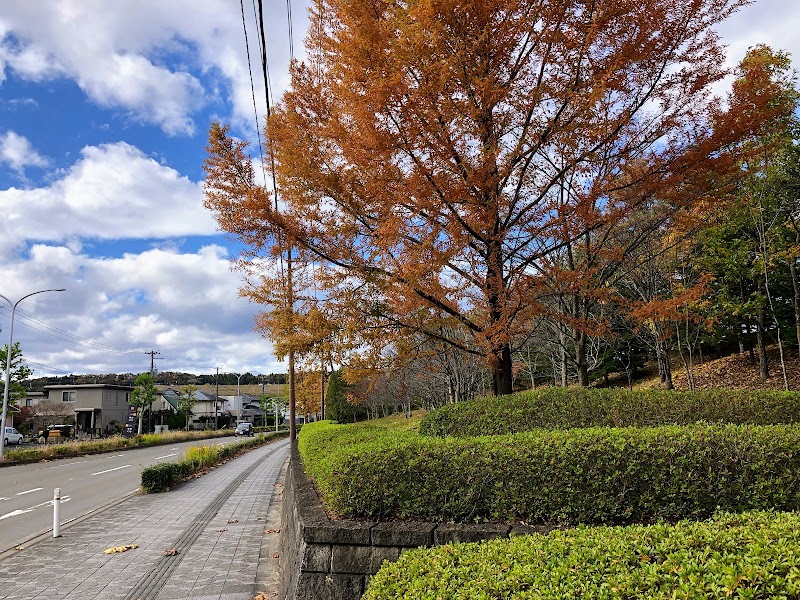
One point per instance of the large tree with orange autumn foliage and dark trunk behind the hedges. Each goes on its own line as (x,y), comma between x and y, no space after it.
(436,157)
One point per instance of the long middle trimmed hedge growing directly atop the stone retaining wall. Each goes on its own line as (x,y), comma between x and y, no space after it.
(598,475)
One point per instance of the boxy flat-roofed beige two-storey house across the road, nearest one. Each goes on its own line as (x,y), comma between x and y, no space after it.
(99,408)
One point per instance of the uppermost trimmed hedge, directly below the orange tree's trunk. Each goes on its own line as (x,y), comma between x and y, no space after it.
(564,408)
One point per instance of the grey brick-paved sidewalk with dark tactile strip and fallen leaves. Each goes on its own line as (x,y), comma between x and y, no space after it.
(219,524)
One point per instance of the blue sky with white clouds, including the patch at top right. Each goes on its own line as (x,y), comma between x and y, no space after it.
(104,113)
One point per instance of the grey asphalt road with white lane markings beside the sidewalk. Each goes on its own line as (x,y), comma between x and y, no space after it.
(87,483)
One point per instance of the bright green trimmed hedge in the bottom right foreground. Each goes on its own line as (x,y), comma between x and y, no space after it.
(755,555)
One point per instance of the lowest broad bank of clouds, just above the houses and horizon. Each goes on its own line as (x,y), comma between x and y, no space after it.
(184,305)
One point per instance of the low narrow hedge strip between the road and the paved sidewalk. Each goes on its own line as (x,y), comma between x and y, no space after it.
(162,477)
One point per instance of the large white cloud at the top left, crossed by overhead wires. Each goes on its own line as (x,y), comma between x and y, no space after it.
(147,57)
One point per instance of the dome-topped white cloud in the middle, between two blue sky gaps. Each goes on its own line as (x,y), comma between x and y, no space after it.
(112,192)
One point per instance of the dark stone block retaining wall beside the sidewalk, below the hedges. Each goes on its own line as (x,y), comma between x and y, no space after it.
(321,559)
